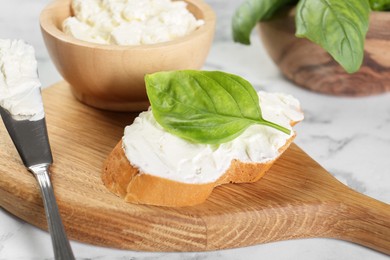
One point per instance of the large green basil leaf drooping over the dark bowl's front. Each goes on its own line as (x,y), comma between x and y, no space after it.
(340,27)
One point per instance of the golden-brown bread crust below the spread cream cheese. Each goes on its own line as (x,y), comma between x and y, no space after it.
(126,181)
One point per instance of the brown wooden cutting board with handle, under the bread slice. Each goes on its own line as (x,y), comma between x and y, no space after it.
(297,198)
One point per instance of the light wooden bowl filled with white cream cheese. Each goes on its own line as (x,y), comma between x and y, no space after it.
(111,77)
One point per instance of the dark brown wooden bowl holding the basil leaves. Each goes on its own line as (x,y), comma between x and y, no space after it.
(309,66)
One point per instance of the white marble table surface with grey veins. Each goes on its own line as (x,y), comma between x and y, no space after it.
(350,137)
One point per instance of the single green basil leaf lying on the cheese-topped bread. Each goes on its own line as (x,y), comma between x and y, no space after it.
(204,106)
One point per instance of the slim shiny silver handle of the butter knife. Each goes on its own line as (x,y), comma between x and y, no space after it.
(61,245)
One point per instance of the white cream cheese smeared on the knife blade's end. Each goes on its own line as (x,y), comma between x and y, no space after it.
(20,92)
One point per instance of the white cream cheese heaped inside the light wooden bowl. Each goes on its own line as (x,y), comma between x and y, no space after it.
(130,22)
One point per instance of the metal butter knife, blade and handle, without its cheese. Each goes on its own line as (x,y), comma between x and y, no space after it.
(32,143)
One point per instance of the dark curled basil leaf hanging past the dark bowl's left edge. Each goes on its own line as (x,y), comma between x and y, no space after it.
(250,12)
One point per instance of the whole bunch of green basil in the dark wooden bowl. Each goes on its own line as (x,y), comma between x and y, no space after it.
(340,27)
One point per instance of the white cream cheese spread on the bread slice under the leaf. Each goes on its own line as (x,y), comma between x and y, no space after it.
(154,151)
